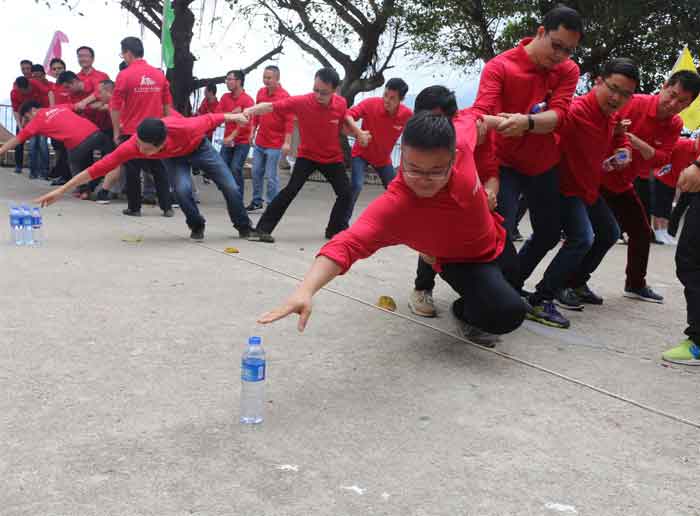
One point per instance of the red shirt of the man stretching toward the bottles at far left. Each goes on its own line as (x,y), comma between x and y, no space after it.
(184,136)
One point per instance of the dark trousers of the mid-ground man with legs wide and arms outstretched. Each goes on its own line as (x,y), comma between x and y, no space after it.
(303,168)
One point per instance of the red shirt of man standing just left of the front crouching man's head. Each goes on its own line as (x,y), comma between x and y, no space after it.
(385,130)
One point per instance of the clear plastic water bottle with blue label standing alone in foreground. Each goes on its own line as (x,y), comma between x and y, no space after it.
(253,382)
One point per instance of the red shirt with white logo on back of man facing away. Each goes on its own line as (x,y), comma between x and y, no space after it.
(140,92)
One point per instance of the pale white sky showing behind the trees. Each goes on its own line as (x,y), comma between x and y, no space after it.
(230,44)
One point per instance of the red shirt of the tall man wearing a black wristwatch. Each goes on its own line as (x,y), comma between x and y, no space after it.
(512,83)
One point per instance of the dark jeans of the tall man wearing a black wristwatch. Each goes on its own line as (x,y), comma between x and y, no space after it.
(543,200)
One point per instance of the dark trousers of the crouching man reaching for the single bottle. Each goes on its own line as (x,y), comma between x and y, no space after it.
(488,300)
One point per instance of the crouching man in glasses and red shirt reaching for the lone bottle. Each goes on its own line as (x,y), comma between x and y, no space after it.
(435,188)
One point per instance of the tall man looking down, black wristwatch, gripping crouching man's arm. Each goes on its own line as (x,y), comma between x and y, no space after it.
(532,85)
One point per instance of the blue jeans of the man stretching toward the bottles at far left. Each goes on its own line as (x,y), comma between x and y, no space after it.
(210,162)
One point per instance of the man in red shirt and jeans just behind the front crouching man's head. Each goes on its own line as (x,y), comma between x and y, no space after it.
(384,119)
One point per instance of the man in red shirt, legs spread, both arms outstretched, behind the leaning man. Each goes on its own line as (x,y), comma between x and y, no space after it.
(321,117)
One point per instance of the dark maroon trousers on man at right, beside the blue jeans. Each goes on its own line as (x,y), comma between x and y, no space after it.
(633,220)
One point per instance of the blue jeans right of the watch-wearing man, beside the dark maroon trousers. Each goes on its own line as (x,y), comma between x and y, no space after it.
(590,233)
